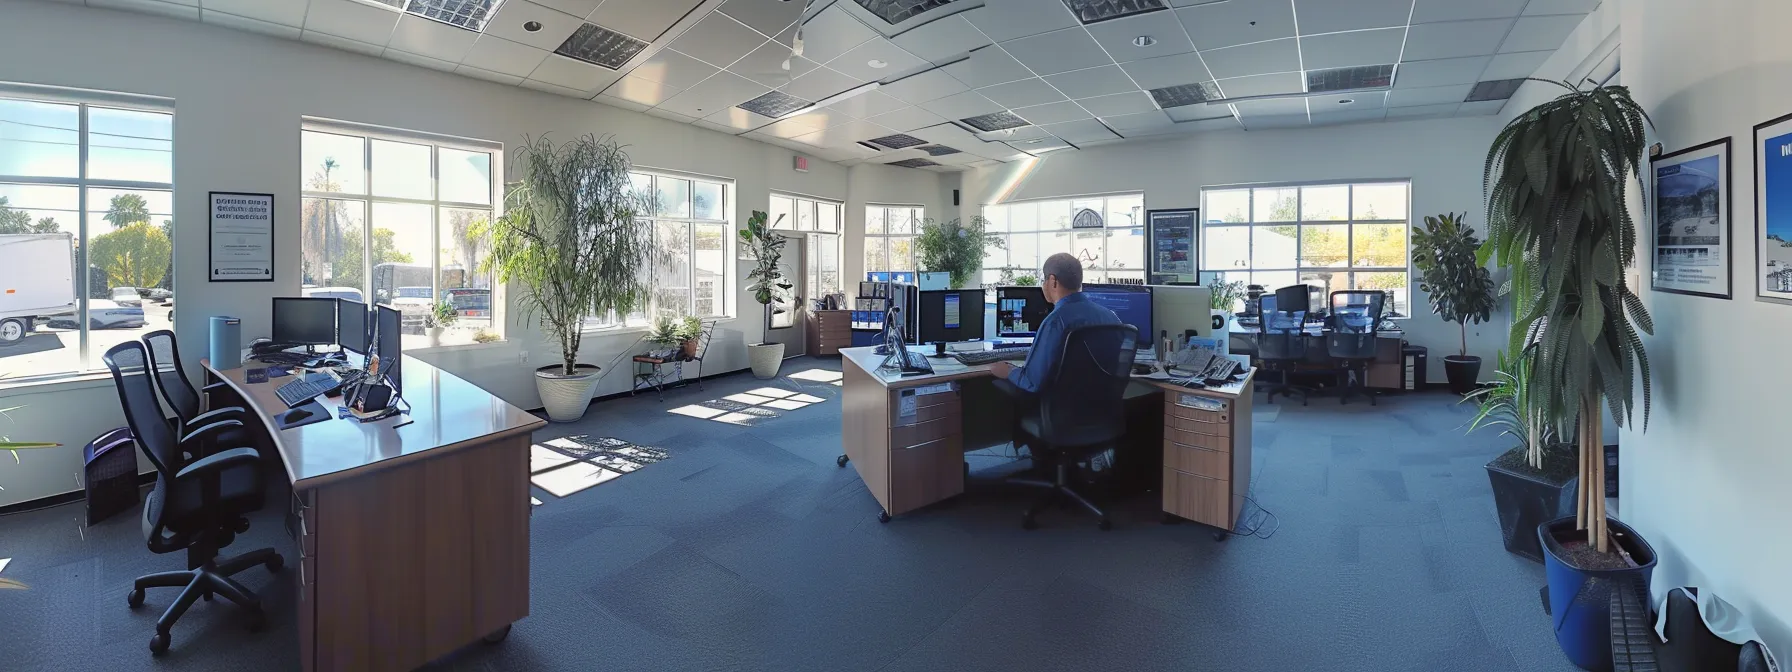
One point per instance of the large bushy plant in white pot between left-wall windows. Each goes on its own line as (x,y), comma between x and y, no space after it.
(571,241)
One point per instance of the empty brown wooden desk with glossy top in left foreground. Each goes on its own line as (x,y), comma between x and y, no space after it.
(413,540)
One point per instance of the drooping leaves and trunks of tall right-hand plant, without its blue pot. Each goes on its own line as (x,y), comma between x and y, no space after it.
(1558,216)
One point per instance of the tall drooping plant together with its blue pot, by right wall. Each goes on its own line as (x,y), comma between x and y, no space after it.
(1560,220)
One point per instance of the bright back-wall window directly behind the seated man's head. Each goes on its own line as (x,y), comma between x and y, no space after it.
(1105,232)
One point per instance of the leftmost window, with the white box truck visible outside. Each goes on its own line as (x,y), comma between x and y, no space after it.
(85,184)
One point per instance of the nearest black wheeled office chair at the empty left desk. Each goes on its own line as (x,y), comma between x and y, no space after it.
(198,504)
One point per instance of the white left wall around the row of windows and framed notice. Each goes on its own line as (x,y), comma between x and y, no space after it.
(239,99)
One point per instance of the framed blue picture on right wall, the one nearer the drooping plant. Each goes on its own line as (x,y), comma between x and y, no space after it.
(1693,221)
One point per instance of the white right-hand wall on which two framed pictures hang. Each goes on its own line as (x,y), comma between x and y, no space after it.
(1707,481)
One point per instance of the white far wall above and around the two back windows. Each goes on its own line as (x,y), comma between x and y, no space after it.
(1443,160)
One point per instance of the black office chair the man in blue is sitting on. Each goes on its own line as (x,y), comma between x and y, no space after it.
(1081,411)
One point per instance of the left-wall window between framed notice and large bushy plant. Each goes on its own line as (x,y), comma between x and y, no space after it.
(395,218)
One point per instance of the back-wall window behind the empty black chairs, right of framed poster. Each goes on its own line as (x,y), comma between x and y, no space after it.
(1331,236)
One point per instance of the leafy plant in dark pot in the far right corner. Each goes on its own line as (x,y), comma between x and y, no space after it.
(1458,286)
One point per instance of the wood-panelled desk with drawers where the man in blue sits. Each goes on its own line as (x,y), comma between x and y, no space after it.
(908,438)
